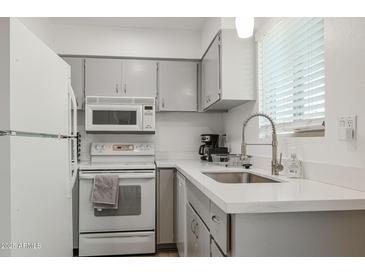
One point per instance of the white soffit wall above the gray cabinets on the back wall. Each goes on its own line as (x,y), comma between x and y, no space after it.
(117,41)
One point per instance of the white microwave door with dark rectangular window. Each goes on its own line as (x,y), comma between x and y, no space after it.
(114,118)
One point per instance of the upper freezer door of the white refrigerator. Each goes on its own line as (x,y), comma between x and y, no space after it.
(39,81)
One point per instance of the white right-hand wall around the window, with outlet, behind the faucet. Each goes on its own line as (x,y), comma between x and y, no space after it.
(345,95)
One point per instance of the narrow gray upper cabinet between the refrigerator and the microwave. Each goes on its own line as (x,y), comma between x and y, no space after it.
(77,79)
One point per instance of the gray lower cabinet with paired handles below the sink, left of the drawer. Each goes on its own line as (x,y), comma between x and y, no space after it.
(198,237)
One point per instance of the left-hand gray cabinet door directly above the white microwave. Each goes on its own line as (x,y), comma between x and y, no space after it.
(103,77)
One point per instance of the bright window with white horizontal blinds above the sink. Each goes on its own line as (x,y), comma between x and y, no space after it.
(291,75)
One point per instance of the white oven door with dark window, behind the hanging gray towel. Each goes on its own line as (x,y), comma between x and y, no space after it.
(136,208)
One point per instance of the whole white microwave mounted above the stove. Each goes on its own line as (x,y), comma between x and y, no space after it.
(120,114)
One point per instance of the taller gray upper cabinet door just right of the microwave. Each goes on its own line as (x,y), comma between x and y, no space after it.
(178,86)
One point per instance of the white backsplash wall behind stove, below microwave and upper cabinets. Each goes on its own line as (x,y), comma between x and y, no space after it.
(177,134)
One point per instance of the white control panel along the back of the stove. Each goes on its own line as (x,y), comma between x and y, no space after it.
(122,148)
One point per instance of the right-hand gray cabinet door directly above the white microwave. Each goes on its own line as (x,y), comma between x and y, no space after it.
(139,78)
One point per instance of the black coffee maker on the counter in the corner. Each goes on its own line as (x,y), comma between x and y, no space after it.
(210,146)
